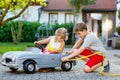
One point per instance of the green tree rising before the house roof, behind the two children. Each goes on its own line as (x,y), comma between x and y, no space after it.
(78,5)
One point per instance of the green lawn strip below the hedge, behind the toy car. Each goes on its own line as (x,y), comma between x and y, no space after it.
(6,46)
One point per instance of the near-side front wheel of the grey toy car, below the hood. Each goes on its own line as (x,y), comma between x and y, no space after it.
(29,67)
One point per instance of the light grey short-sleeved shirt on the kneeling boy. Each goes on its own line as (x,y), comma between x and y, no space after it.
(93,42)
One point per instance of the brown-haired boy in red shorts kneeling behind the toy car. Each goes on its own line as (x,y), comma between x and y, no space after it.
(89,44)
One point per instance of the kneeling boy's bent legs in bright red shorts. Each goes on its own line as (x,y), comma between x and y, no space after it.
(93,62)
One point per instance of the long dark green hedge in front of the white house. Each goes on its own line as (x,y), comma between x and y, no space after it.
(29,30)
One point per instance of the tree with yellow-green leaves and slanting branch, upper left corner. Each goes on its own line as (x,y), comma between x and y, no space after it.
(7,6)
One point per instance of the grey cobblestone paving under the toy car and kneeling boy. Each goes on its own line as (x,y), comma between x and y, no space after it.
(75,74)
